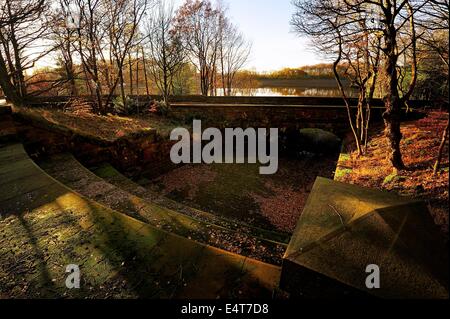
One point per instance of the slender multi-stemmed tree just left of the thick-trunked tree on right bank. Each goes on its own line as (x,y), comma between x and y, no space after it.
(345,34)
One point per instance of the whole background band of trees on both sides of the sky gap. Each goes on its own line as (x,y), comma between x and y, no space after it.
(110,50)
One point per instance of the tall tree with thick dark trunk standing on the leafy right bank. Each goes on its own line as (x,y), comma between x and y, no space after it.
(396,28)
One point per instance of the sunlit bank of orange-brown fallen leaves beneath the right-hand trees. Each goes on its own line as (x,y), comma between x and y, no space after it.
(420,144)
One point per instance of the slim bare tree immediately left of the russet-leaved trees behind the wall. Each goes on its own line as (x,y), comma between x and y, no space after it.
(166,50)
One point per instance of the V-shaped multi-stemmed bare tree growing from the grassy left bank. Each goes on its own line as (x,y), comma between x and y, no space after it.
(106,38)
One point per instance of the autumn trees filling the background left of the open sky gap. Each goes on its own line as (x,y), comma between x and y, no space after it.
(117,47)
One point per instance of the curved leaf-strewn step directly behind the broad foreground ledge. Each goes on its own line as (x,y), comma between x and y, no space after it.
(70,172)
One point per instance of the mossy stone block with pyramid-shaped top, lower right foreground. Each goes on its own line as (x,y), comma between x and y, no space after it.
(344,228)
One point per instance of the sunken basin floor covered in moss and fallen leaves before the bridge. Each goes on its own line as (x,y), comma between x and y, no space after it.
(238,192)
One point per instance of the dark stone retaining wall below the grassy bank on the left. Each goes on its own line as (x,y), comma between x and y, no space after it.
(131,154)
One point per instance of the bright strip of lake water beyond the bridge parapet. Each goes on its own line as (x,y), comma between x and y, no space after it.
(288,91)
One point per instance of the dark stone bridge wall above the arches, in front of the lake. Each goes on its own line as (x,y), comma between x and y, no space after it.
(329,114)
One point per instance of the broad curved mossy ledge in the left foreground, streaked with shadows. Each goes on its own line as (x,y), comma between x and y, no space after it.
(45,226)
